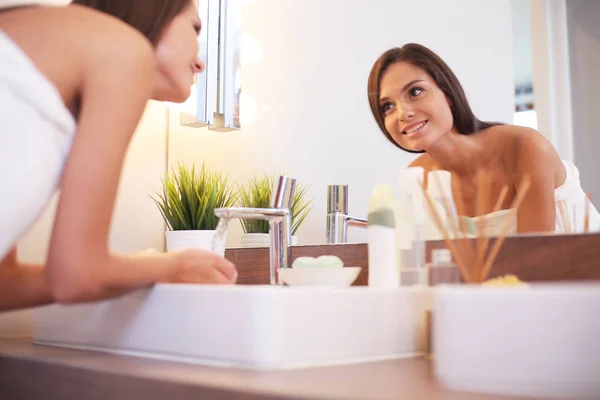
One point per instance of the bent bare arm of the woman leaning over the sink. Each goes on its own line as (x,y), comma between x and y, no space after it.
(117,80)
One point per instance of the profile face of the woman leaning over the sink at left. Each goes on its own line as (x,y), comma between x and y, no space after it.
(177,57)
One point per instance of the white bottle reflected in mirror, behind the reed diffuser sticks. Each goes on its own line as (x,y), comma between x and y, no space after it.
(439,188)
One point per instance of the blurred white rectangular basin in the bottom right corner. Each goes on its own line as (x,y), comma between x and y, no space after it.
(539,341)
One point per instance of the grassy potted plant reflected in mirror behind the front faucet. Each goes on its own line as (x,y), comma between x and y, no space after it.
(256,193)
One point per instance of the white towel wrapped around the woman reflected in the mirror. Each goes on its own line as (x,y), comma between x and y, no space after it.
(570,201)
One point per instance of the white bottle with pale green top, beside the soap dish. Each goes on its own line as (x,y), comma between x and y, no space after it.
(381,232)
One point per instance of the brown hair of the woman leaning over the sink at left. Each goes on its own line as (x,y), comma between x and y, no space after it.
(150,17)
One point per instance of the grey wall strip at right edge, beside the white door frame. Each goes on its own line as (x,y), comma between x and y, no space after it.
(584,54)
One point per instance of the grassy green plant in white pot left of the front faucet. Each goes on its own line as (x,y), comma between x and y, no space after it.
(187,204)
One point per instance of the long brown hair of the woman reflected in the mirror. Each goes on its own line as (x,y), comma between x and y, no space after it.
(465,121)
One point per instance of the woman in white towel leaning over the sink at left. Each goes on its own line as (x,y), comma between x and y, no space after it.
(74,82)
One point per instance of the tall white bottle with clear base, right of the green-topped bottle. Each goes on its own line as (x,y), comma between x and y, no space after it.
(410,226)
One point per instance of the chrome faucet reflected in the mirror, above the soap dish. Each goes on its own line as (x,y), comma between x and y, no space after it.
(338,219)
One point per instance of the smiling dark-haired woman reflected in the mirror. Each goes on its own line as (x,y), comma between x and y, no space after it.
(421,107)
